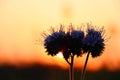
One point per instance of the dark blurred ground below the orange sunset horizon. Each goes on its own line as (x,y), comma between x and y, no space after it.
(40,72)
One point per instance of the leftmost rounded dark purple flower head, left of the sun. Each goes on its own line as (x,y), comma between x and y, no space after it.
(55,42)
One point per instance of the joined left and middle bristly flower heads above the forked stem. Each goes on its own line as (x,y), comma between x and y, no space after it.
(68,42)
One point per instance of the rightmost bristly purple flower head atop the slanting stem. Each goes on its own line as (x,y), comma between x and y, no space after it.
(94,41)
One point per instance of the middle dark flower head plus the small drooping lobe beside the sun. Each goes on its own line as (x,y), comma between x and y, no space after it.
(73,43)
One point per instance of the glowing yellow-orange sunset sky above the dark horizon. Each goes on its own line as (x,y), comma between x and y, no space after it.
(22,22)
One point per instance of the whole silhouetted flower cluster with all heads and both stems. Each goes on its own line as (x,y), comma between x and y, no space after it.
(74,42)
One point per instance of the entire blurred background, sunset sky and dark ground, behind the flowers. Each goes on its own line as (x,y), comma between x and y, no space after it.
(22,55)
